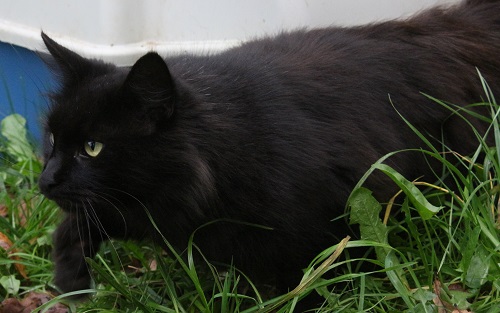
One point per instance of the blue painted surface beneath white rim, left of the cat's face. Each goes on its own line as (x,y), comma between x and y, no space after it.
(24,83)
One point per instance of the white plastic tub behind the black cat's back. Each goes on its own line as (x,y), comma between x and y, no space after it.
(122,30)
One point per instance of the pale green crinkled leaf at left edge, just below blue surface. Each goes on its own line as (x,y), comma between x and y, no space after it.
(13,128)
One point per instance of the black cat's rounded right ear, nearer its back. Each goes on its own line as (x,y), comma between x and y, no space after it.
(151,86)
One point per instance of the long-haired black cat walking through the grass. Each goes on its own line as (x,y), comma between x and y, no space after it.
(275,132)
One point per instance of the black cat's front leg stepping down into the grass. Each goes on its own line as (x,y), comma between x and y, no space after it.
(74,240)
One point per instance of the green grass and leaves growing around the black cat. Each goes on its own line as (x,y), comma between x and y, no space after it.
(440,253)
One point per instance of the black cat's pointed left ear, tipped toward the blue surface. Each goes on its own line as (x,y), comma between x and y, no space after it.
(72,66)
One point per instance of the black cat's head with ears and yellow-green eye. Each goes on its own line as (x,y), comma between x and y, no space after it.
(100,124)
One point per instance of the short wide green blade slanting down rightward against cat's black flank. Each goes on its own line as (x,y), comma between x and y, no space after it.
(424,207)
